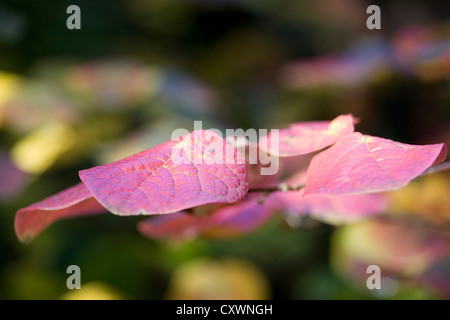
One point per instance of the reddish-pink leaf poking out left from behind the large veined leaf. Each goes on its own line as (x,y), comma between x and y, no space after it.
(72,202)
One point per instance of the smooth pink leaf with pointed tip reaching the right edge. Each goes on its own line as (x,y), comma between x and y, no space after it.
(362,164)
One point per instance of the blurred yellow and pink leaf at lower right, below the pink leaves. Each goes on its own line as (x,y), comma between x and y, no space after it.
(397,247)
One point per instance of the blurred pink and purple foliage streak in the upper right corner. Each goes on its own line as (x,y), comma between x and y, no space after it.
(420,51)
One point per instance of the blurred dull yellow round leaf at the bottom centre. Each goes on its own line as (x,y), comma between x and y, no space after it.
(225,279)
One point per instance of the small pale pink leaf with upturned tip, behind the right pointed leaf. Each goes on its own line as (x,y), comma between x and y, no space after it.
(305,137)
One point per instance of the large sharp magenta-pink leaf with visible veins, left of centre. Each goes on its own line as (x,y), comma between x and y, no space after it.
(201,168)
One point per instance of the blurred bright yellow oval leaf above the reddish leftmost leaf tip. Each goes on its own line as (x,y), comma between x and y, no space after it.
(39,150)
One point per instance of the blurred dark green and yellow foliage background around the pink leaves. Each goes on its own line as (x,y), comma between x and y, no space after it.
(139,69)
